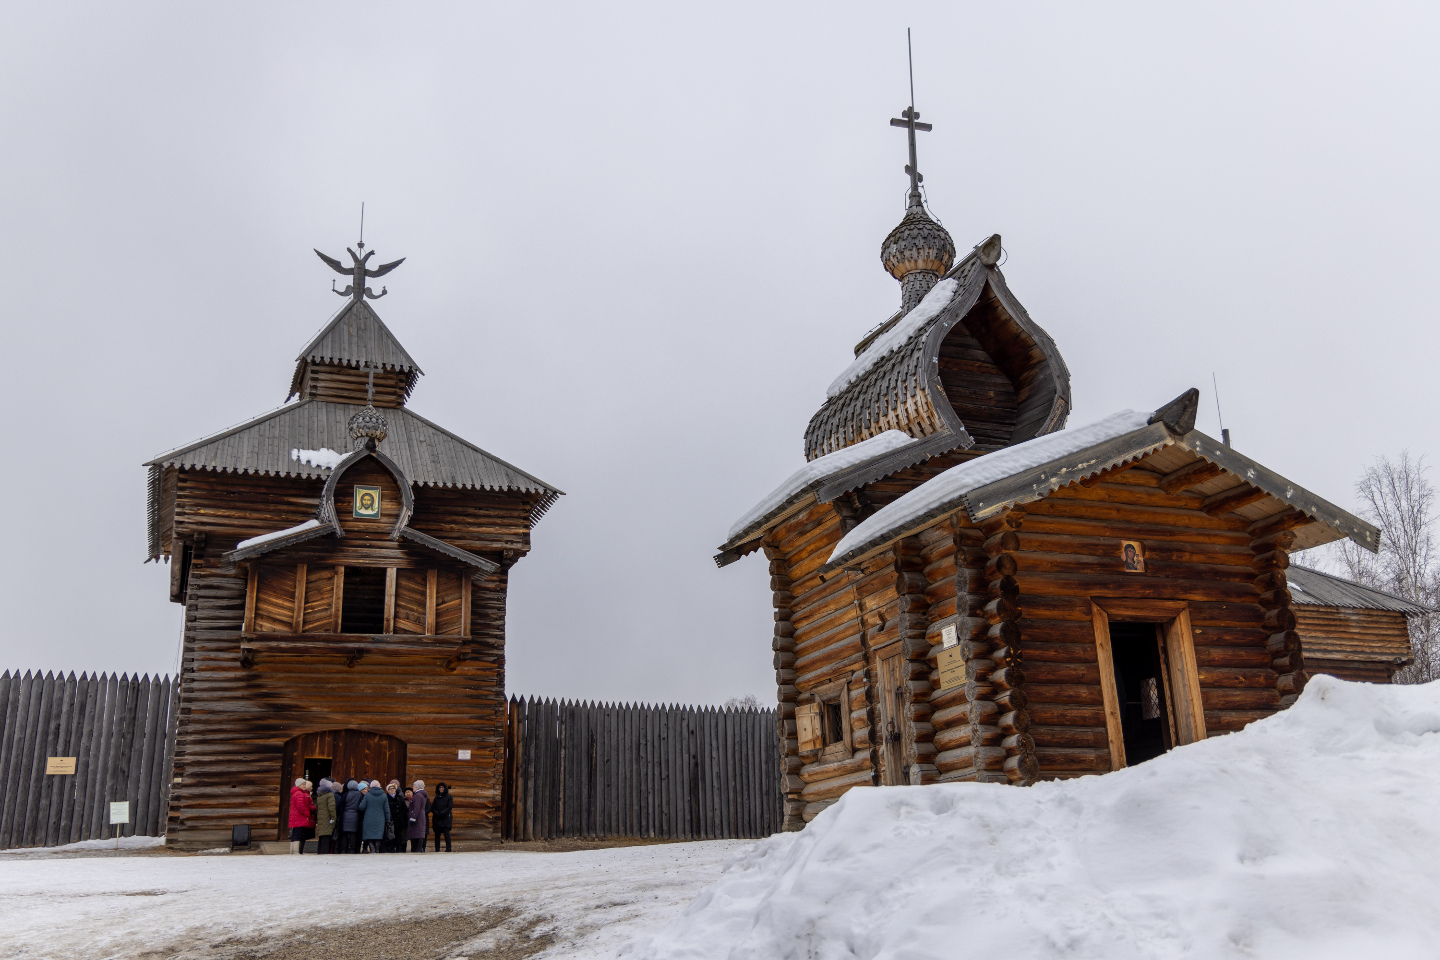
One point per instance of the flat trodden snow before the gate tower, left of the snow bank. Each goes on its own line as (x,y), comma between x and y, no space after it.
(77,909)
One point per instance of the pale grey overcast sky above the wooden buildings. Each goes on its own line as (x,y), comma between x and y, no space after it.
(643,240)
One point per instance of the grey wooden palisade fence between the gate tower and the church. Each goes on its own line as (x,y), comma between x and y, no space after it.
(631,771)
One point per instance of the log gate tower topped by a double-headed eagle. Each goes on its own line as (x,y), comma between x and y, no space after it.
(343,566)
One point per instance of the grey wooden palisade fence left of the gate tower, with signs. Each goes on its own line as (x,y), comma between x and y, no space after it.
(122,733)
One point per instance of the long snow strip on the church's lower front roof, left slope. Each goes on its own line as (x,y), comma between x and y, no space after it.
(970,476)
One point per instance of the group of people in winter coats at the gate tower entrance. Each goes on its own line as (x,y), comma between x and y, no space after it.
(364,818)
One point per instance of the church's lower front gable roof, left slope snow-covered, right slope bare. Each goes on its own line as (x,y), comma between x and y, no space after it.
(1036,468)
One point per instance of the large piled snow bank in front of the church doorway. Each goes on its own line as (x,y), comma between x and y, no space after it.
(1310,836)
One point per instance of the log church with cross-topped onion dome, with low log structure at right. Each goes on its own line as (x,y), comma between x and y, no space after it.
(967,589)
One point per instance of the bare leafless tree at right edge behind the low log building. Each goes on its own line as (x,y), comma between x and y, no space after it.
(1398,497)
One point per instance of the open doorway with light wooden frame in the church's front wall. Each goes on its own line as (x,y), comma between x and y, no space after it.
(1176,689)
